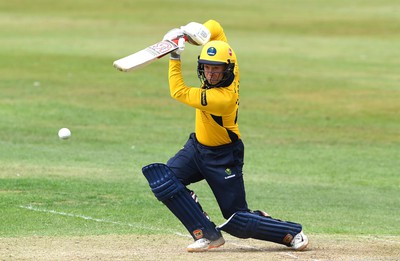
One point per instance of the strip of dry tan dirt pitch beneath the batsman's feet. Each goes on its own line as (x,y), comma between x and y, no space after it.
(156,247)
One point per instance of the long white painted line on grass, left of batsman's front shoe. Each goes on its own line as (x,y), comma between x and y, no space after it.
(30,207)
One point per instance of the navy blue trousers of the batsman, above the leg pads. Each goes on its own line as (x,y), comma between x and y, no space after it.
(220,166)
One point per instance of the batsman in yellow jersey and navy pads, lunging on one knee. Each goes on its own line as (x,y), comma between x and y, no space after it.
(215,151)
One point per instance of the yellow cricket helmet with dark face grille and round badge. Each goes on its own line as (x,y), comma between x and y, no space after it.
(217,53)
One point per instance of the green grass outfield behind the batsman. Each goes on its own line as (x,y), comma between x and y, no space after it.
(320,114)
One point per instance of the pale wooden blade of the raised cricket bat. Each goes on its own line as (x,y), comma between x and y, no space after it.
(145,56)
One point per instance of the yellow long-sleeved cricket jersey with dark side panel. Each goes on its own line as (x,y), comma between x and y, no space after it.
(216,108)
